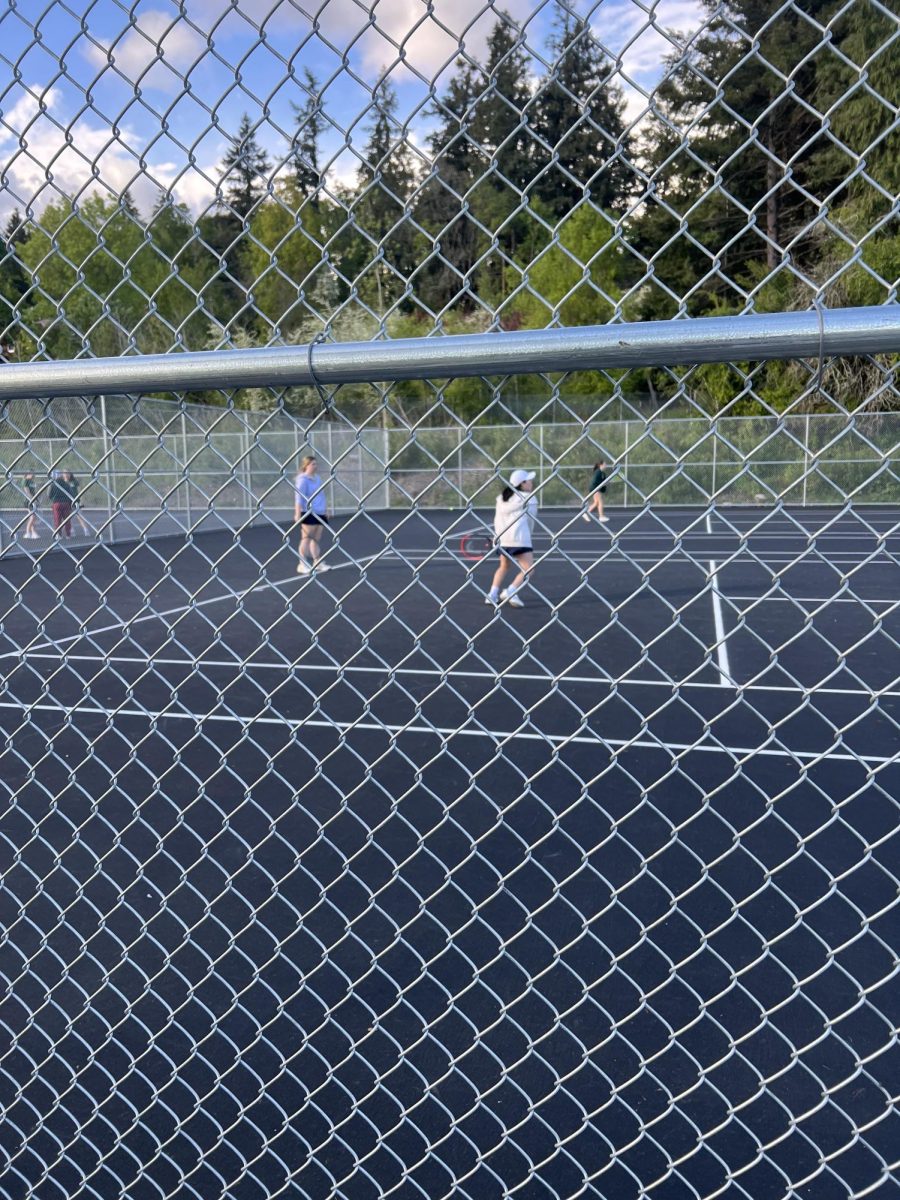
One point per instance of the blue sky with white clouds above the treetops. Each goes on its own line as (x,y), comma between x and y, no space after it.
(147,95)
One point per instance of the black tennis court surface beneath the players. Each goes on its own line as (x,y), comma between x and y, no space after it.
(352,885)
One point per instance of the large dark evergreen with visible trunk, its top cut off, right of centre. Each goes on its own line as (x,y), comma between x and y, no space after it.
(736,159)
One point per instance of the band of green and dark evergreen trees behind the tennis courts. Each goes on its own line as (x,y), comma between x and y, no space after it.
(767,172)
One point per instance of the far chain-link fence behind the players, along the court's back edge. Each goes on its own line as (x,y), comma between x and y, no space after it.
(154,470)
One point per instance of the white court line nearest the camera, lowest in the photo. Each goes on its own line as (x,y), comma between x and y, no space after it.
(449,733)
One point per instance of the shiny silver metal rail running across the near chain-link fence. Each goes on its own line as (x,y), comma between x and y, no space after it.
(759,338)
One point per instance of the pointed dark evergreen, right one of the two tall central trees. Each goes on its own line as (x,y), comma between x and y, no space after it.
(579,116)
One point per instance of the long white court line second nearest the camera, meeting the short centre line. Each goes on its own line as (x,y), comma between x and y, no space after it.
(441,674)
